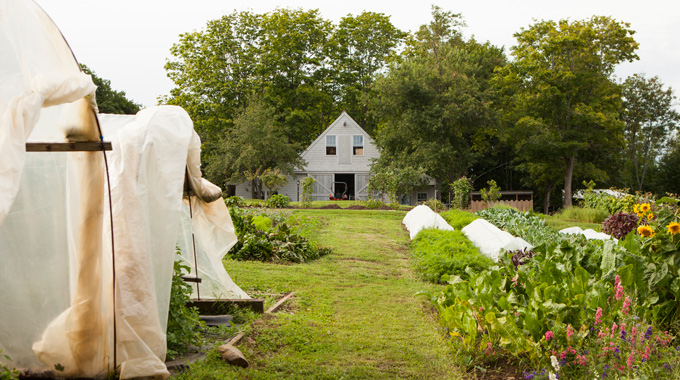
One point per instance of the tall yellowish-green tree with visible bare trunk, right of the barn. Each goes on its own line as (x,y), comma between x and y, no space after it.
(561,84)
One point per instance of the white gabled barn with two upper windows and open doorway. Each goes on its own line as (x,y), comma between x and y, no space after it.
(339,160)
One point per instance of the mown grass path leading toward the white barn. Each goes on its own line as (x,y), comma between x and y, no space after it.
(354,315)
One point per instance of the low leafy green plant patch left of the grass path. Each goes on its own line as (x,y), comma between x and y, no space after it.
(262,238)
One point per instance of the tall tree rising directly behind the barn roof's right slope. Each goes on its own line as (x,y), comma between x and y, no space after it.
(360,49)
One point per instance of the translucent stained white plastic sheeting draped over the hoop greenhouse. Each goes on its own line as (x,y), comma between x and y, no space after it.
(55,232)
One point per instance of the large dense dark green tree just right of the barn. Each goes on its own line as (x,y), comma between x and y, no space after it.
(435,105)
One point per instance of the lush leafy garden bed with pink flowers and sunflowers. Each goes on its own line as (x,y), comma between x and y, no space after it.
(574,308)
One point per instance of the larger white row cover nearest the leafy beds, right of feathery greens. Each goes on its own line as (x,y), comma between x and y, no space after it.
(490,239)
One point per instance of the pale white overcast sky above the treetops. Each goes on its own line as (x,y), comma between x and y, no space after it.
(128,41)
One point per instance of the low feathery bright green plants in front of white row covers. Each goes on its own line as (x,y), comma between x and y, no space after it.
(438,253)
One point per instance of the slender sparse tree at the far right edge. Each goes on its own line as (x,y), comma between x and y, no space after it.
(650,122)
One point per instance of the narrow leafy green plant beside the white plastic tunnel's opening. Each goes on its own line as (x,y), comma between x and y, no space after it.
(184,326)
